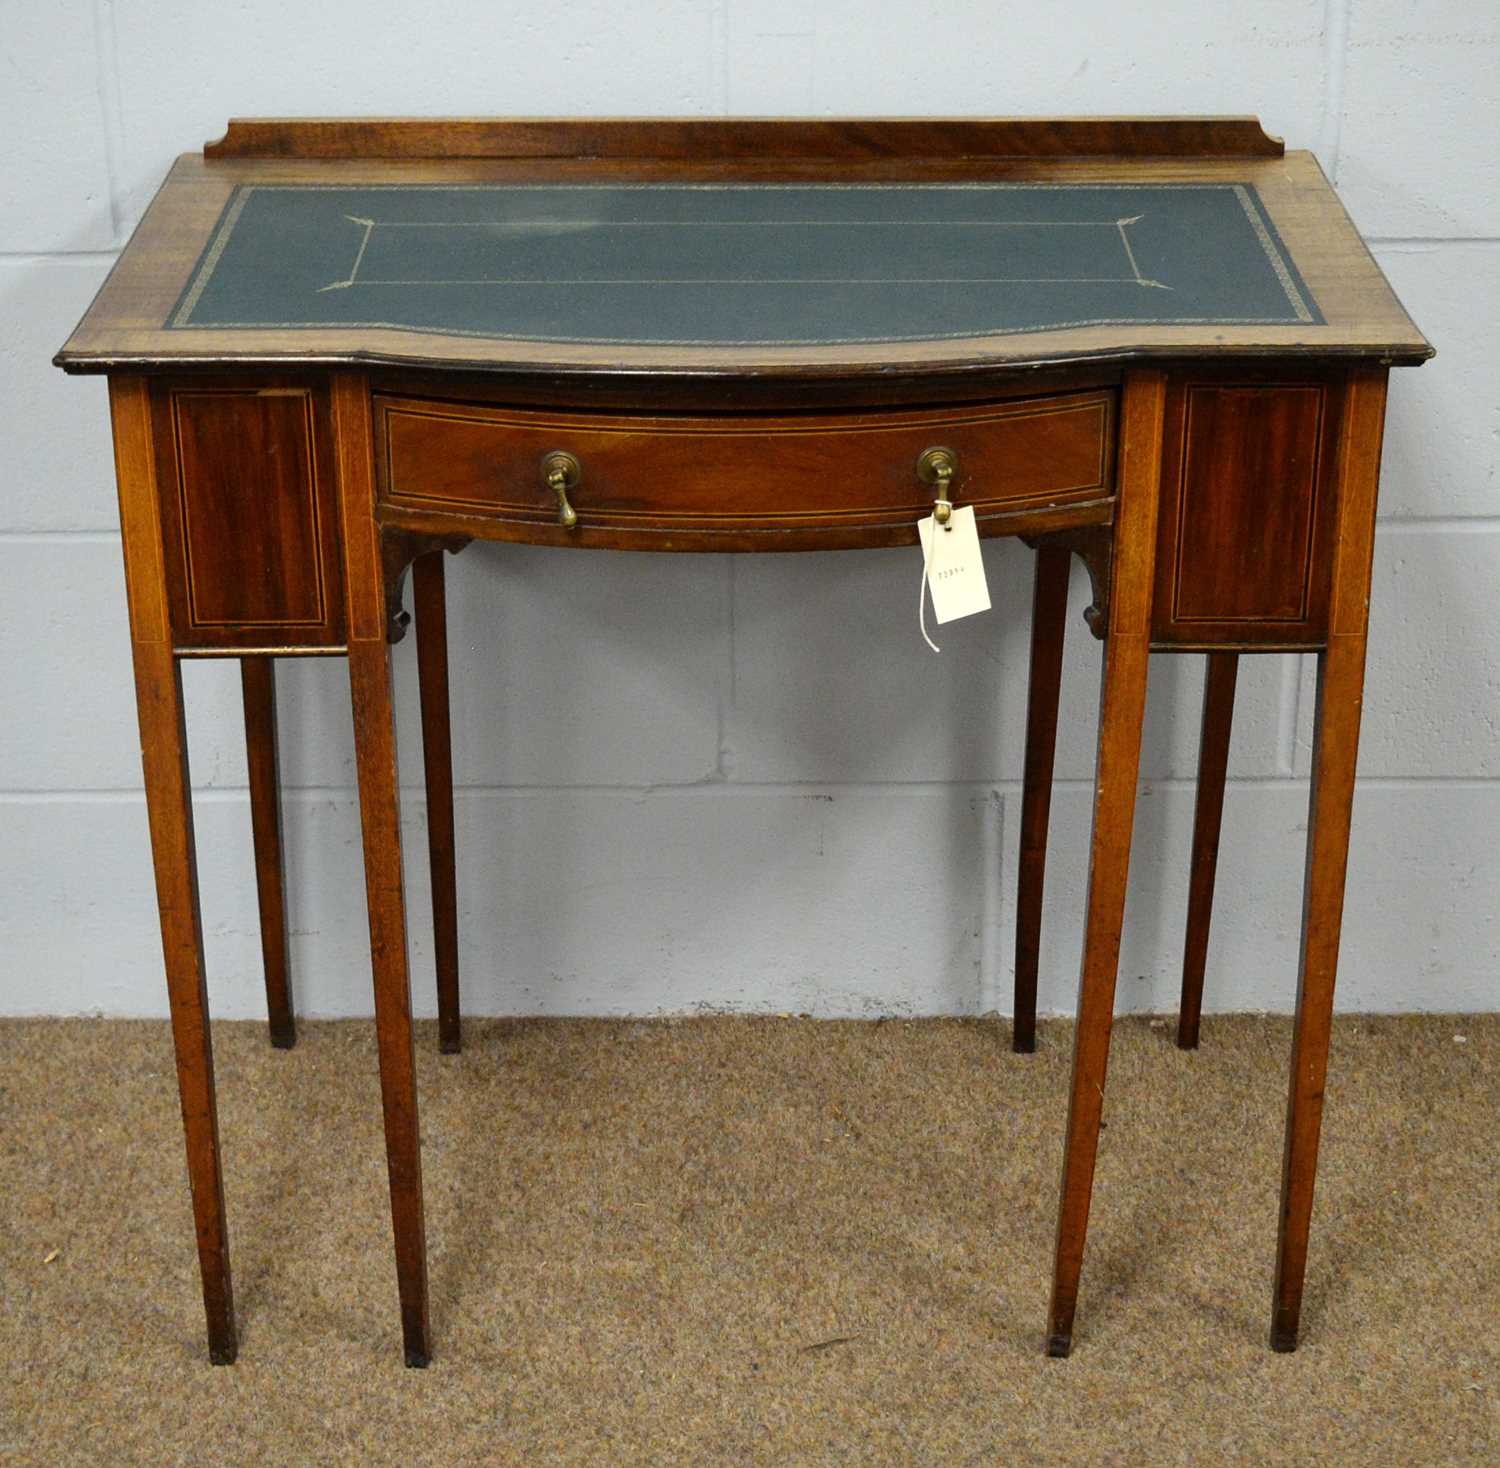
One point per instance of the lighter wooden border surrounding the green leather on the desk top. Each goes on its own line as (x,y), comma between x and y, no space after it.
(127,322)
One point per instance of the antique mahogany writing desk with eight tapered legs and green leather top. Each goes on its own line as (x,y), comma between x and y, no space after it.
(338,349)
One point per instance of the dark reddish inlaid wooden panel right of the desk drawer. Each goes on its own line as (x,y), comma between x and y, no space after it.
(1246,509)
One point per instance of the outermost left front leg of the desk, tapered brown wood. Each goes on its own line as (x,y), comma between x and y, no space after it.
(169,804)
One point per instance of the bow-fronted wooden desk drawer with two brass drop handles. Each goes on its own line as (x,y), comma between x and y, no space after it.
(743,481)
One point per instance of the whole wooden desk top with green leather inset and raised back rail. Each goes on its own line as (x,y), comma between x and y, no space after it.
(740,248)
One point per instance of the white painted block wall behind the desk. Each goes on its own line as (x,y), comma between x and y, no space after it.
(743,782)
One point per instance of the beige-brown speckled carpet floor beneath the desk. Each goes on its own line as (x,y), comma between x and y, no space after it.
(751,1242)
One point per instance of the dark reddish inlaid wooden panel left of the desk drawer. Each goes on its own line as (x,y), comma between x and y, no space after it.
(248,517)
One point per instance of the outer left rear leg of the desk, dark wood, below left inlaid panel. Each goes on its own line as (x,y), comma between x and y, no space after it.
(259,685)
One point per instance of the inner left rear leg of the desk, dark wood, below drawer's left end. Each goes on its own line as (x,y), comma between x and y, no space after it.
(437,756)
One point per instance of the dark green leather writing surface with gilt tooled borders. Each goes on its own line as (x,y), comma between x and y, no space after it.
(742,265)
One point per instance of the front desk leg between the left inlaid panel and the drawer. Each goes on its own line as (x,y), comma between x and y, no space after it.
(380,824)
